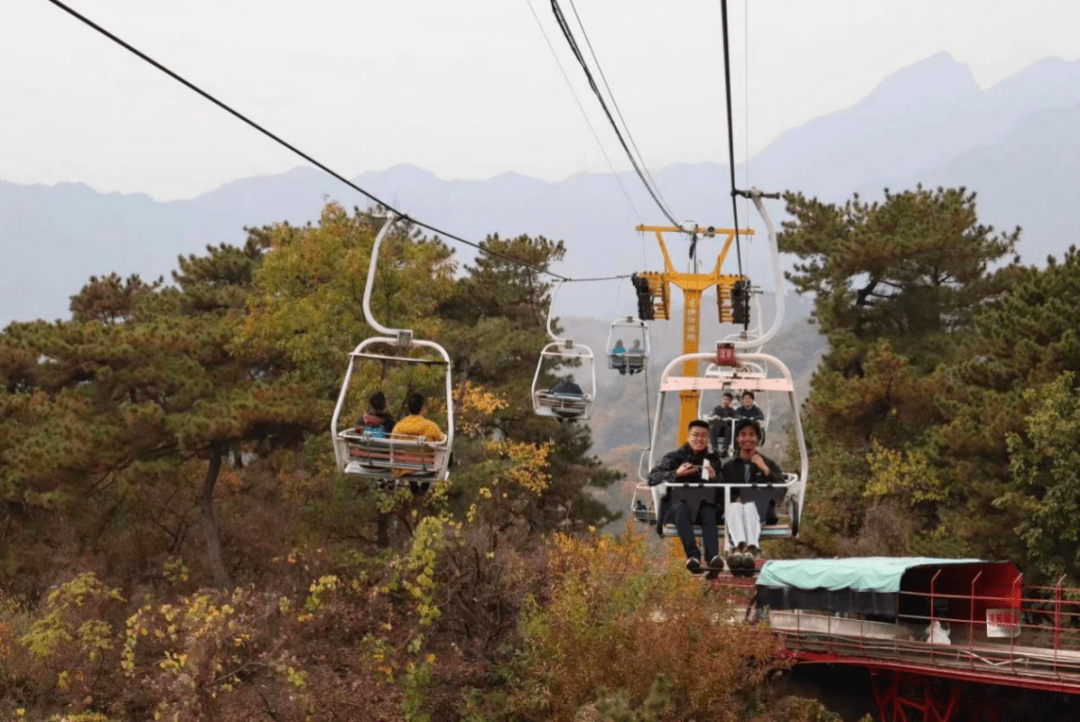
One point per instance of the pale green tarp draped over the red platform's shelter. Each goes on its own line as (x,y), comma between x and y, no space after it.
(881,575)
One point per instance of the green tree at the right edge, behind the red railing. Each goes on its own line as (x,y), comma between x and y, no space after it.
(1018,347)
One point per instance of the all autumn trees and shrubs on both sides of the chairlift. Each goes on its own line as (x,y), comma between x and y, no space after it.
(177,544)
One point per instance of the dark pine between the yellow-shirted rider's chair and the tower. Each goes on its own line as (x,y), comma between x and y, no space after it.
(498,314)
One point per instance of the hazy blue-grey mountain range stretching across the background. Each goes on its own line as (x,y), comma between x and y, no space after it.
(1017,144)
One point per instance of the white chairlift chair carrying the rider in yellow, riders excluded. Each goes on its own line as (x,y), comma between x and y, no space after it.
(395,458)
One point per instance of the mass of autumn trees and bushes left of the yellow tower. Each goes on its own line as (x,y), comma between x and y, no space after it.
(178,544)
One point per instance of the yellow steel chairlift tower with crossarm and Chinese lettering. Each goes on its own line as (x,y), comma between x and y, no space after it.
(732,295)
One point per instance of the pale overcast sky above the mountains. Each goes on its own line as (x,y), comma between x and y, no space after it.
(467,89)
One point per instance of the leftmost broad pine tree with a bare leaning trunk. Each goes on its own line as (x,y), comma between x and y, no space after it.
(142,398)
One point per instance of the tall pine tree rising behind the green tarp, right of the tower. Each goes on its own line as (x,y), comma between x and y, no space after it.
(896,284)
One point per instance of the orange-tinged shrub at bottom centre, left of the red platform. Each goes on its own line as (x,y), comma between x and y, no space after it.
(622,629)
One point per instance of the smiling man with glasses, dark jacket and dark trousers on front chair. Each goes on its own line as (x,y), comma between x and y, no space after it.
(693,462)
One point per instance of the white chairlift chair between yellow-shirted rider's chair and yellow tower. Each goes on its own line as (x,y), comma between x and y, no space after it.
(563,403)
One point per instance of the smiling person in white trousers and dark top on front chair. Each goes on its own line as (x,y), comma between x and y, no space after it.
(744,521)
